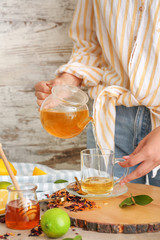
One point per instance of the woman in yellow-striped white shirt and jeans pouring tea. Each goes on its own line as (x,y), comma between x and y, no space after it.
(116,54)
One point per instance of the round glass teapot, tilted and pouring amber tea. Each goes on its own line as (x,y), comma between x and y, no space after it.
(64,113)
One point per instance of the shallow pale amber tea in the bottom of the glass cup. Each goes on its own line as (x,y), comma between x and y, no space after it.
(97,185)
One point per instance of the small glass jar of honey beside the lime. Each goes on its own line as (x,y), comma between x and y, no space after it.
(22,209)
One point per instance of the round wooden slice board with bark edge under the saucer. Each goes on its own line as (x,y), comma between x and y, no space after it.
(110,218)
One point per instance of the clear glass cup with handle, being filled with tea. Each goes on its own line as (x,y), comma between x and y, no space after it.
(97,171)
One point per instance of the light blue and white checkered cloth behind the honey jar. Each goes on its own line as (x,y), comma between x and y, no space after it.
(45,183)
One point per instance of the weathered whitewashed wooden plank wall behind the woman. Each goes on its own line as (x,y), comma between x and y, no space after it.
(33,43)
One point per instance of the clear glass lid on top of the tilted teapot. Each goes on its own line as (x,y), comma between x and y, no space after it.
(70,95)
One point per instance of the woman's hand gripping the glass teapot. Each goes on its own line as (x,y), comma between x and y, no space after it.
(43,88)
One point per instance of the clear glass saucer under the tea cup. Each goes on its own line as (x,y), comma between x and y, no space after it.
(117,191)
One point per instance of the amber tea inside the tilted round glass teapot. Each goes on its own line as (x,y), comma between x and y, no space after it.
(64,124)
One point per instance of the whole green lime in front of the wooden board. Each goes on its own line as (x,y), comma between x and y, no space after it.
(55,222)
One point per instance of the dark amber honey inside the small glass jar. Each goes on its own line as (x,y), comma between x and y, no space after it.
(22,218)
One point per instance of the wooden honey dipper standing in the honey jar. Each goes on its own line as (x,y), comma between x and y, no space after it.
(24,207)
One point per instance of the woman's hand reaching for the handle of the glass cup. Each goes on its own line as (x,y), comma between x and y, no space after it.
(147,154)
